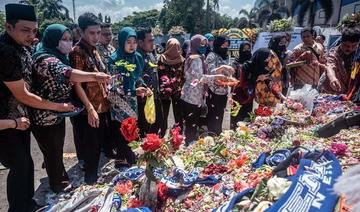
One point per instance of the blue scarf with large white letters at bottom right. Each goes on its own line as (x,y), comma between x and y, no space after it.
(312,187)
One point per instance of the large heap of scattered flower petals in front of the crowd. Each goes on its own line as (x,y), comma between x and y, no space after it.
(207,173)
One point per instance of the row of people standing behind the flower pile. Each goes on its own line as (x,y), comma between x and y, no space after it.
(111,79)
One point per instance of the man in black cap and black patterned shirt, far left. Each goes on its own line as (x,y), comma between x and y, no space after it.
(15,78)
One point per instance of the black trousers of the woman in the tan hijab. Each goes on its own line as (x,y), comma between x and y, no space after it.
(177,111)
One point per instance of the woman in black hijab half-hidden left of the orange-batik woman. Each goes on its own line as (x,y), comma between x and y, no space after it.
(238,95)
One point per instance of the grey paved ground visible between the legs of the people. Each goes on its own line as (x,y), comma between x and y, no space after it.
(70,161)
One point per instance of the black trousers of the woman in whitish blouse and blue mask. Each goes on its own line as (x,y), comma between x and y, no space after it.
(191,115)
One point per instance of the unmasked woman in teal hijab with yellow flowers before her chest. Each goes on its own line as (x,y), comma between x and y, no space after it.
(125,66)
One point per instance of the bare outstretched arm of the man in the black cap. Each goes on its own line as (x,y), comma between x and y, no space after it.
(21,93)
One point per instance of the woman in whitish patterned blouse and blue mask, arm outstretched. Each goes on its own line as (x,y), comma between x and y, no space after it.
(193,91)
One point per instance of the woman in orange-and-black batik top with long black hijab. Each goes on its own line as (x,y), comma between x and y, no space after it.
(262,78)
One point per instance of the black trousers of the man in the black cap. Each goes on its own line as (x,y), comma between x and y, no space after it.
(15,155)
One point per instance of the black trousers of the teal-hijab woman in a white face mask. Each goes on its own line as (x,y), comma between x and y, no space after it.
(51,142)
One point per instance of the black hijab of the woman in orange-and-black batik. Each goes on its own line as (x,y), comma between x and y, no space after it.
(256,65)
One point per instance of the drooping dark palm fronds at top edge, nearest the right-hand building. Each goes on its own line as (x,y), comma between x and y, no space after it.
(311,6)
